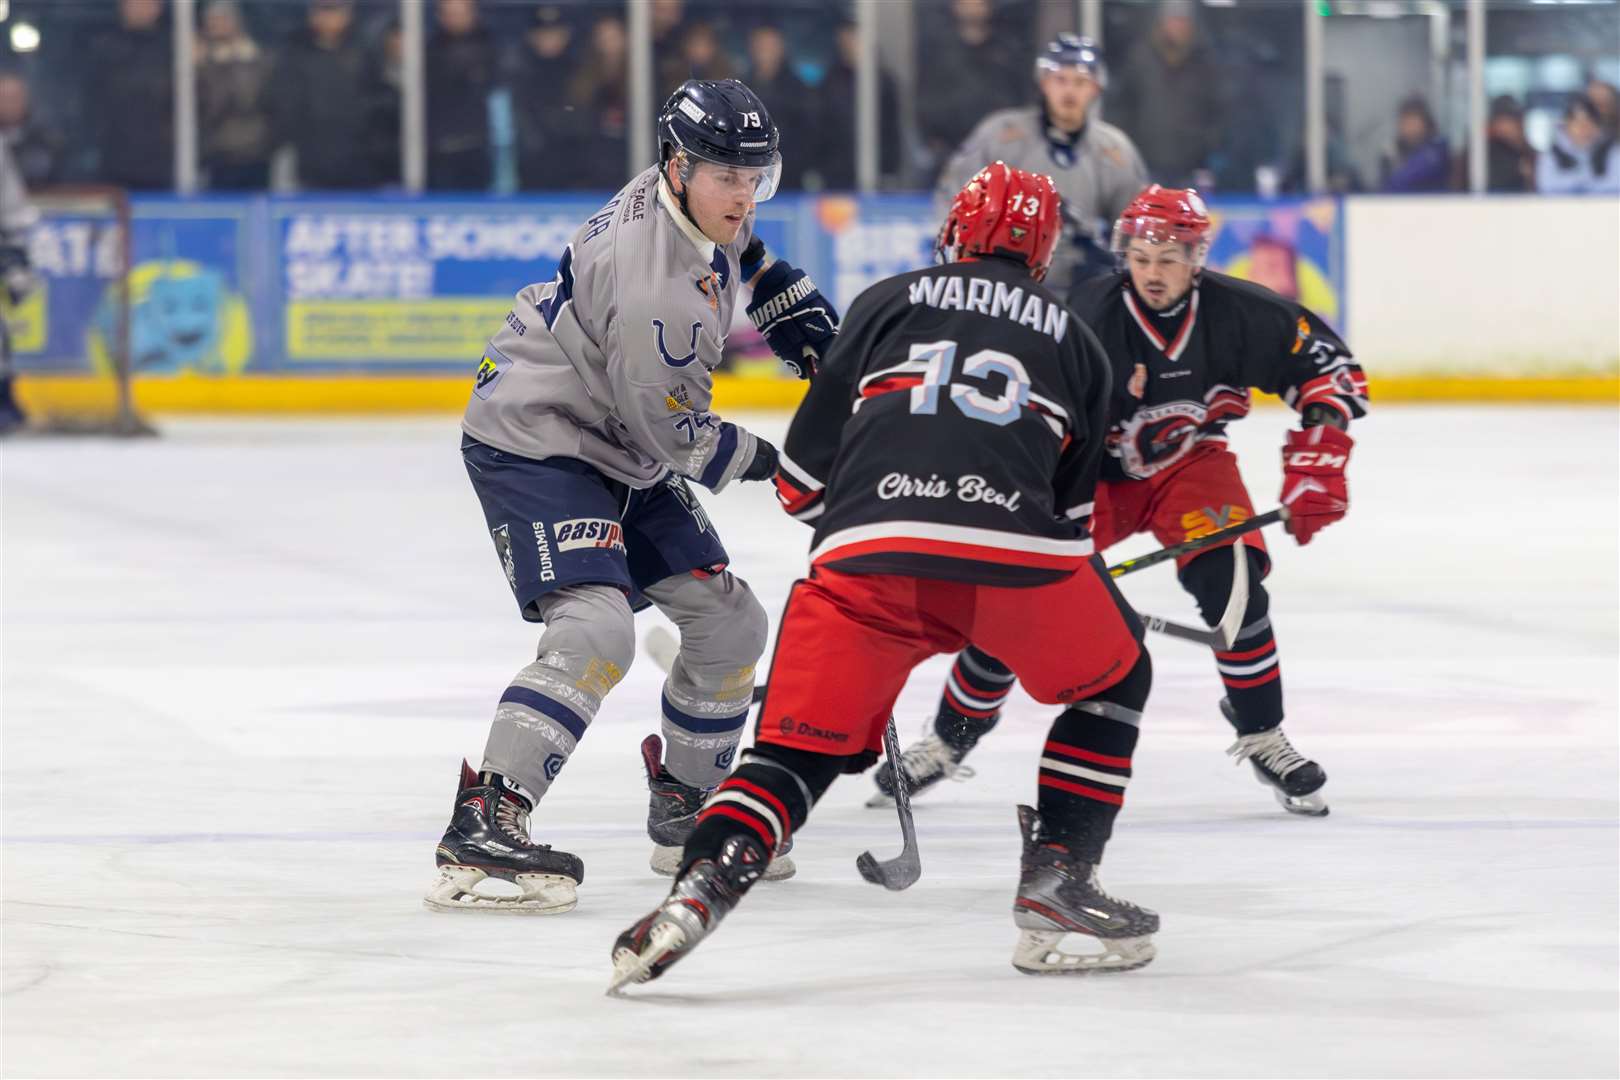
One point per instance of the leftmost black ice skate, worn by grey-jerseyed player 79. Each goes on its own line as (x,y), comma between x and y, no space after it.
(488,838)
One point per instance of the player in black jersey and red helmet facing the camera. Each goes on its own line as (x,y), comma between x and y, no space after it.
(1187,347)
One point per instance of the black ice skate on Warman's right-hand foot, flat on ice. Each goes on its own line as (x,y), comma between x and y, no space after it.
(1057,896)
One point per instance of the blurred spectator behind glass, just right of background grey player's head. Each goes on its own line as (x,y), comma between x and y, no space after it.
(1169,100)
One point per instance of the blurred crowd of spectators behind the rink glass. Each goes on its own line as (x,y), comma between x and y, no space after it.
(529,96)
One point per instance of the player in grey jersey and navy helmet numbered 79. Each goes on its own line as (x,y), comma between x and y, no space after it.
(590,412)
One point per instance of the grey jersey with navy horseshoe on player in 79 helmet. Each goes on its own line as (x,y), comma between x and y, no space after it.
(612,362)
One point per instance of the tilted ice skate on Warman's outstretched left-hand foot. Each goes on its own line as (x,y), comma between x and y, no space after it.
(696,906)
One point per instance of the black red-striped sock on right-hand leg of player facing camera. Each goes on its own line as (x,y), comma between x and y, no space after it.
(1255,682)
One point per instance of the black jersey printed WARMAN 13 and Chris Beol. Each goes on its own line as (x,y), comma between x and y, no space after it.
(955,432)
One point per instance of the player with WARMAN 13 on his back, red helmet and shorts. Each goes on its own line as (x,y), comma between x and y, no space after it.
(947,457)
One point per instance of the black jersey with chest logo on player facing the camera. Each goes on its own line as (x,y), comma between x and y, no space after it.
(1183,375)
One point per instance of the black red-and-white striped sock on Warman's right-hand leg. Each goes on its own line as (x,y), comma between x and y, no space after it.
(1086,765)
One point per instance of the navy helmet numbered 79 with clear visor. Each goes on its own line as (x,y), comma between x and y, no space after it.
(723,122)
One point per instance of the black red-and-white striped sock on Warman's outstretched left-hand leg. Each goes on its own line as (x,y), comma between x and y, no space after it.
(769,797)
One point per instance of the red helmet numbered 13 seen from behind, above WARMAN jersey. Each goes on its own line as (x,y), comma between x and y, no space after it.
(1004,211)
